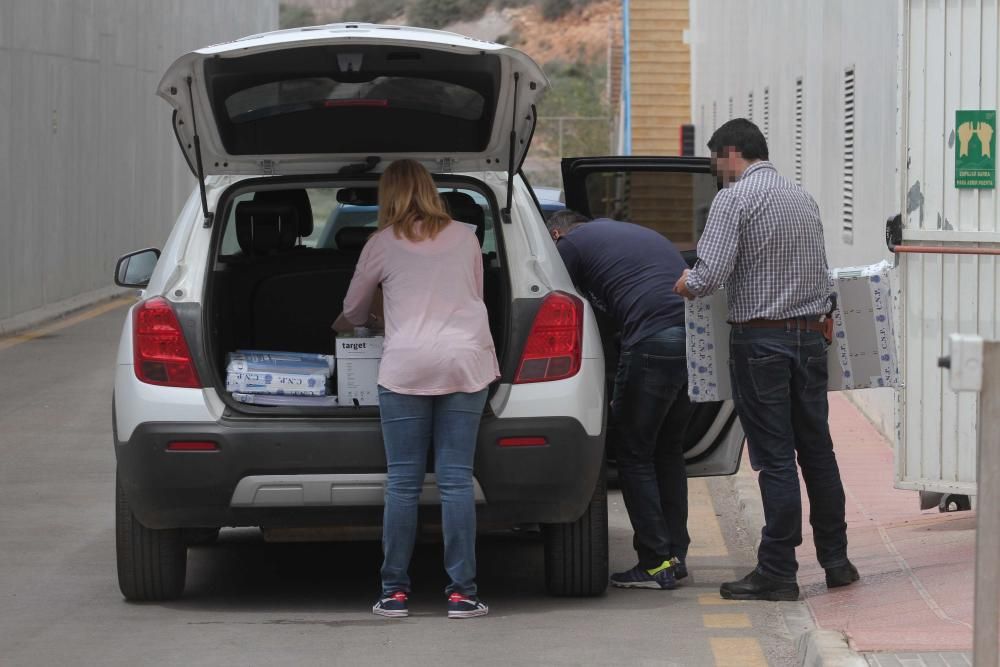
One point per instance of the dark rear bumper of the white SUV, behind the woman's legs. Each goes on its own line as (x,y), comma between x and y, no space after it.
(277,473)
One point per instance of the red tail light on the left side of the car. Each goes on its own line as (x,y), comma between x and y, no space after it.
(161,354)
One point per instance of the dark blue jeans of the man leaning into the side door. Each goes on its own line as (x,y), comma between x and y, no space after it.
(651,408)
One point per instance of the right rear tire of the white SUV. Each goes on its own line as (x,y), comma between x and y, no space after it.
(576,554)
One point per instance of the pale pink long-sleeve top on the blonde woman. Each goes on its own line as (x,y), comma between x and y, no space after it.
(437,333)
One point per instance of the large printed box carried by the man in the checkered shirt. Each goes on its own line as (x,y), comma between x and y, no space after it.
(863,353)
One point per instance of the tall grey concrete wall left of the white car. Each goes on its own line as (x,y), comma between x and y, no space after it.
(91,169)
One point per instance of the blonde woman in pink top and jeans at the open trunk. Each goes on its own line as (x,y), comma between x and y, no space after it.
(437,363)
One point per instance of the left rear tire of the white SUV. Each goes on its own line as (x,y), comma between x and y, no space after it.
(152,564)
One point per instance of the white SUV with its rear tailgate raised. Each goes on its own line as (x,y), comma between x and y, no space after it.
(281,129)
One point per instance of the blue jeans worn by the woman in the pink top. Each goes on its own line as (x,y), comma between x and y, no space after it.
(409,425)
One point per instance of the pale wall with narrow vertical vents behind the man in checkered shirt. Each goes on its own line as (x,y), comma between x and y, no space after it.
(741,47)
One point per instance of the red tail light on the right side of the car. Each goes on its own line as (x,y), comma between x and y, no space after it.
(555,345)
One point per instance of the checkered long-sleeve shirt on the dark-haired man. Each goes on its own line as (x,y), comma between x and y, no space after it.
(764,241)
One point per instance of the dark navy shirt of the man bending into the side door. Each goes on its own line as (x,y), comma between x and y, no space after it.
(628,272)
